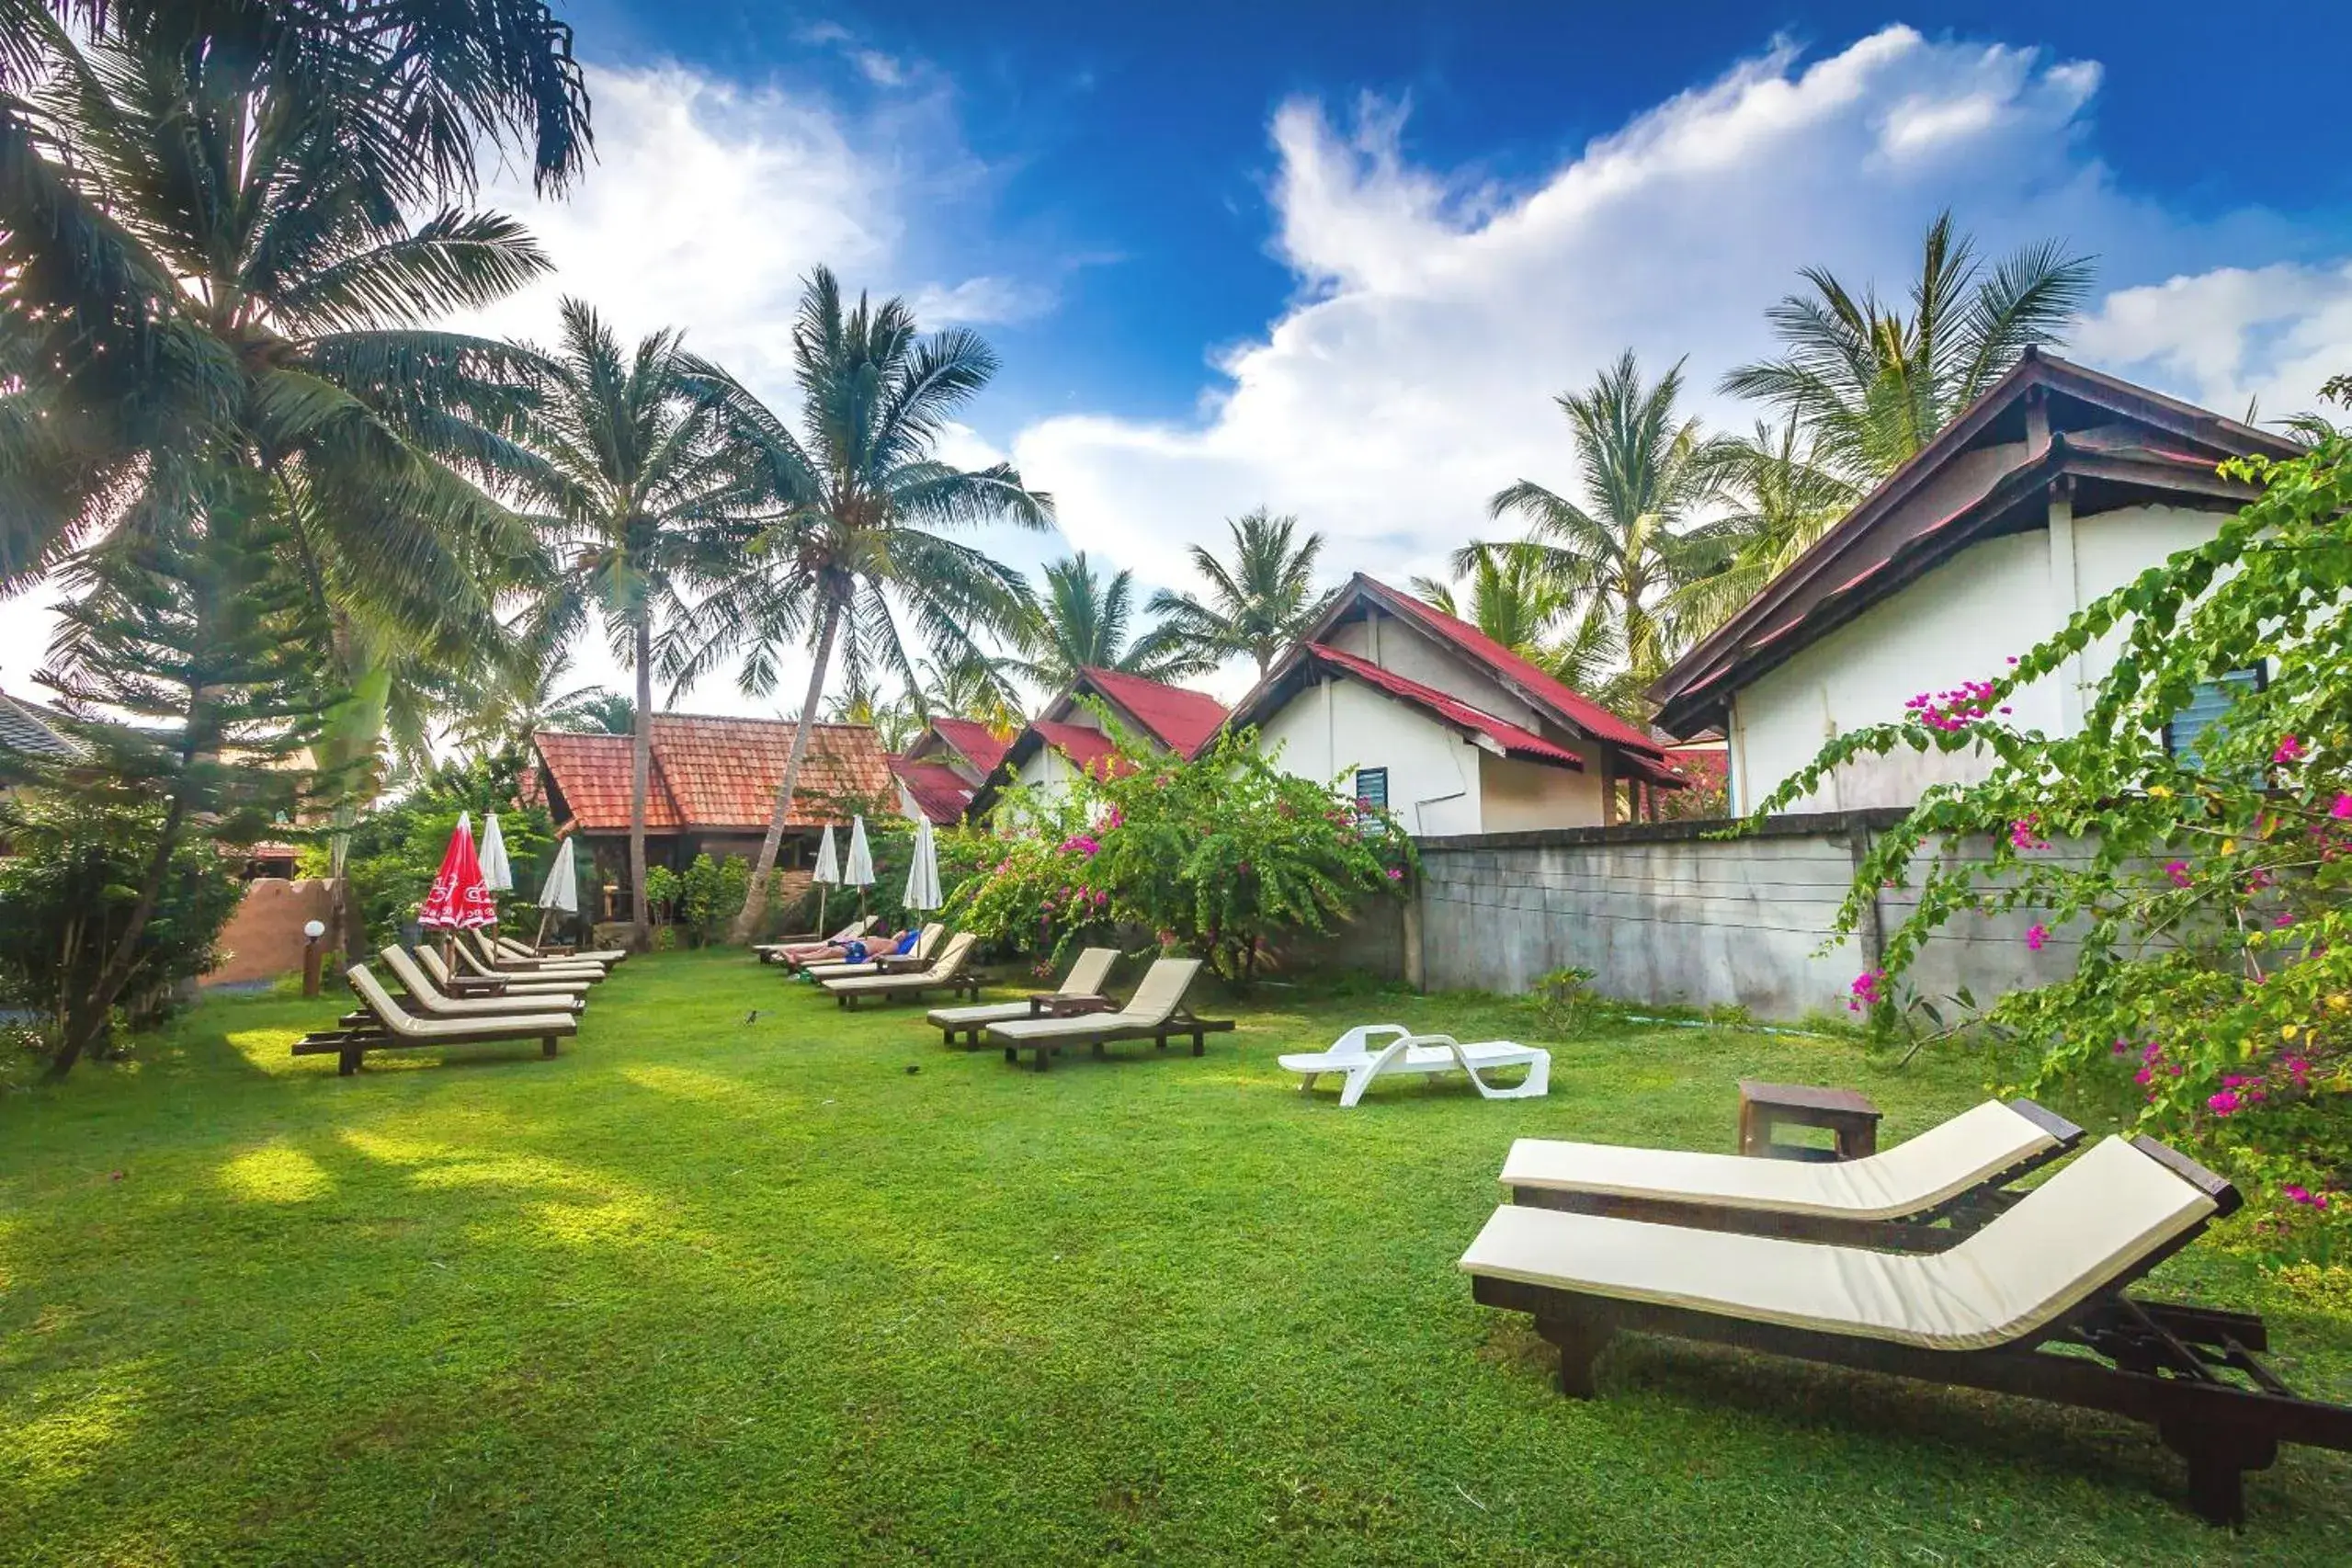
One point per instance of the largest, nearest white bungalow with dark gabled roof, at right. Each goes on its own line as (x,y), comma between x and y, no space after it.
(2052,490)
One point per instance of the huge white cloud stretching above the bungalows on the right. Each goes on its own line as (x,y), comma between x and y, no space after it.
(1436,319)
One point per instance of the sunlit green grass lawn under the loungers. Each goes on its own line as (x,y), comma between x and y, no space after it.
(751,1289)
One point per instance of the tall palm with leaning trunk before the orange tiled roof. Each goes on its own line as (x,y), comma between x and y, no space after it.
(860,521)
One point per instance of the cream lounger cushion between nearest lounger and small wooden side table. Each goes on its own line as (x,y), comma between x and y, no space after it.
(1890,1186)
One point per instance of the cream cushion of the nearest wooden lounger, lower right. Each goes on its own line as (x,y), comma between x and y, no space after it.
(2071,1238)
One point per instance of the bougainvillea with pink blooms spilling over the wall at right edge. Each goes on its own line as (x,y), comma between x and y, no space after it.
(2210,890)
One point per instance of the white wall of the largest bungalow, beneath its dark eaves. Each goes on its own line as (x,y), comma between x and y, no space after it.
(1960,622)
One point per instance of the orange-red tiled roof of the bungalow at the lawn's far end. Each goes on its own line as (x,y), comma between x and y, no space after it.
(714,772)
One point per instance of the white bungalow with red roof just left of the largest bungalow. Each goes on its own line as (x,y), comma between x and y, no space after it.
(1445,728)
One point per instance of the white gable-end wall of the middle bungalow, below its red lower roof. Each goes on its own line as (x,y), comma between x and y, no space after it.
(1434,775)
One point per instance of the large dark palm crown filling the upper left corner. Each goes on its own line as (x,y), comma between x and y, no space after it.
(208,260)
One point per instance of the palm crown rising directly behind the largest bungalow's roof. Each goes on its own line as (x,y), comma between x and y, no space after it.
(1873,384)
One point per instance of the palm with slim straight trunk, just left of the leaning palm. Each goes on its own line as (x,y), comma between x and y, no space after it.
(646,500)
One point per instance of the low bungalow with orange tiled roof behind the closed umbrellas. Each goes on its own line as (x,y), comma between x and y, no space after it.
(714,786)
